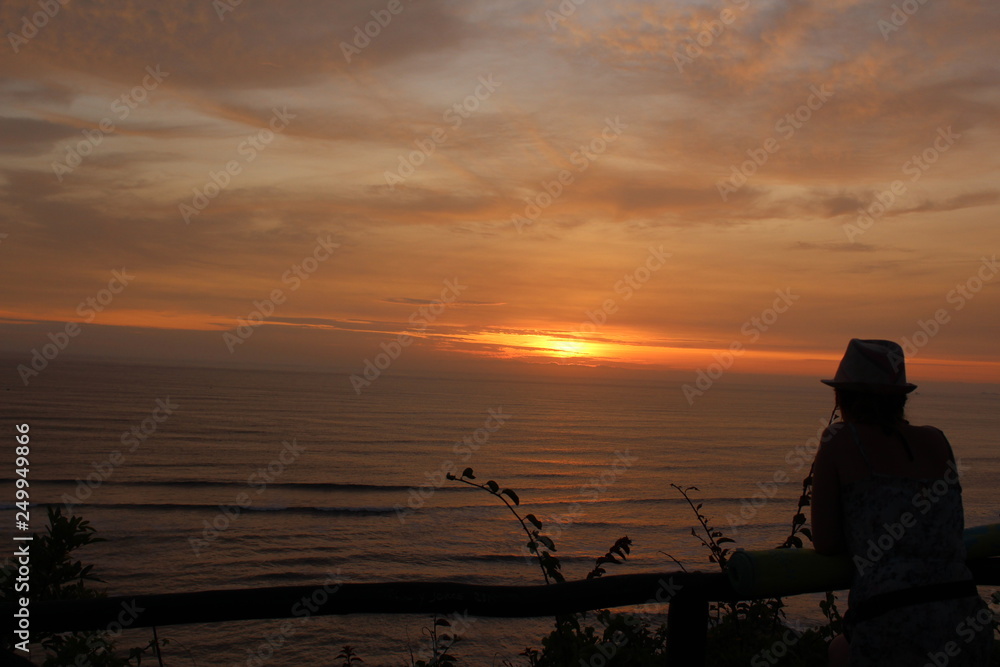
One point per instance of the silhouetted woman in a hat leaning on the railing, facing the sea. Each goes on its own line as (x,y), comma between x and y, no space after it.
(887,494)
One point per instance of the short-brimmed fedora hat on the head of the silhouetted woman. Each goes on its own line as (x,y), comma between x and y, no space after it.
(872,366)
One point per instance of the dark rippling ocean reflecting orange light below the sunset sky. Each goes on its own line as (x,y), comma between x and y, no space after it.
(204,478)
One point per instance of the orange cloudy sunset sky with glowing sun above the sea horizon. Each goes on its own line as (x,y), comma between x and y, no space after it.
(582,183)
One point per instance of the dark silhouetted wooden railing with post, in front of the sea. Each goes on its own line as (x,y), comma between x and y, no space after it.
(687,594)
